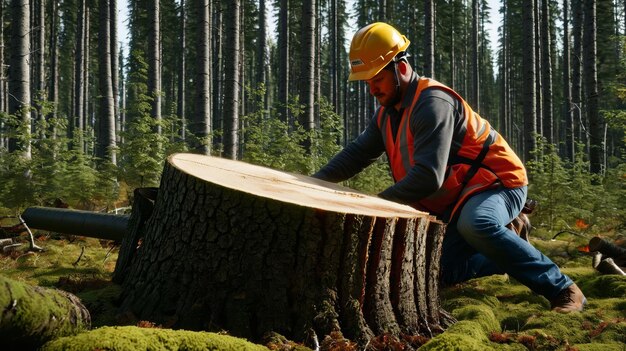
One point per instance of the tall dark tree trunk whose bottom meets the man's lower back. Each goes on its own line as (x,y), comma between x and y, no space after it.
(528,62)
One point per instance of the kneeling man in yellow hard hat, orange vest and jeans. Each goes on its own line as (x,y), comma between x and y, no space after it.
(447,160)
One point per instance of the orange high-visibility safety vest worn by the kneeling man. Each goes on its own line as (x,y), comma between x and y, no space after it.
(484,160)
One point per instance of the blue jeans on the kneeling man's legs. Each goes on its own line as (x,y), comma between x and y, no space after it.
(478,244)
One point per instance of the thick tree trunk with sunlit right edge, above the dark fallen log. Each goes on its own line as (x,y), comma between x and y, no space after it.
(106,118)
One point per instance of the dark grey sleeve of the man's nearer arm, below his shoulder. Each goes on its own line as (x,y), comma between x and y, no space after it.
(432,123)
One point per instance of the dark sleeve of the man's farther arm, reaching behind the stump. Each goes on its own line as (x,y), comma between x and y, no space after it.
(357,155)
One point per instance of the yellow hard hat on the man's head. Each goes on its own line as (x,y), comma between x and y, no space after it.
(372,48)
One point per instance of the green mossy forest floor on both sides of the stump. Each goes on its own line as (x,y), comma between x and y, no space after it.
(494,313)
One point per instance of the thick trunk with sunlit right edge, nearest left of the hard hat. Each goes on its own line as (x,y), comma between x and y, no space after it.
(307,72)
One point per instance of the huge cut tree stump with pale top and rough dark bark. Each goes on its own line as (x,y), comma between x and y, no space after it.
(233,246)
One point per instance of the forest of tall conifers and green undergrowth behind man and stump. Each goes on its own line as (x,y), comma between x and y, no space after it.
(82,121)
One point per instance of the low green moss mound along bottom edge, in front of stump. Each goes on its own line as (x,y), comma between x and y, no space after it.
(134,338)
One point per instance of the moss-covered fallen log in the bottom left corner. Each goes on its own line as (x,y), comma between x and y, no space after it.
(30,316)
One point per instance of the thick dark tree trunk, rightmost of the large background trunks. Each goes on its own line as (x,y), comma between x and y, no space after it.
(596,125)
